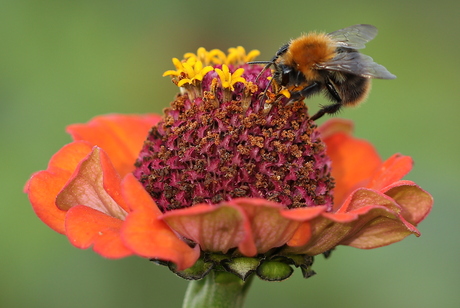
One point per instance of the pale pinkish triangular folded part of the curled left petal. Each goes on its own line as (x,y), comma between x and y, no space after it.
(86,186)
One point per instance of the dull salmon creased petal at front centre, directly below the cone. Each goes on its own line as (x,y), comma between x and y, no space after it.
(253,225)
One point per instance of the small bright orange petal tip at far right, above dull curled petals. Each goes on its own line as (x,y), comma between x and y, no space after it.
(392,170)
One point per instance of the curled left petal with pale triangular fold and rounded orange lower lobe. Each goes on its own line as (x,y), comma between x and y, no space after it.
(93,217)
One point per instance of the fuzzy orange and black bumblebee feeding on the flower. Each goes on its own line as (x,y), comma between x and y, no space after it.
(328,63)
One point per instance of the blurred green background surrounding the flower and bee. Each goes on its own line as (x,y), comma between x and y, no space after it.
(64,62)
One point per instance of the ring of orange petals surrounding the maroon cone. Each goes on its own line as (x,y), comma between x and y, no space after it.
(89,194)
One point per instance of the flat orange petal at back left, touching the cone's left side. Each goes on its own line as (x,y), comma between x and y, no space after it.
(121,136)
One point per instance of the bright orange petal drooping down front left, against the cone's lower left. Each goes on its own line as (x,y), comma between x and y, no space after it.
(149,236)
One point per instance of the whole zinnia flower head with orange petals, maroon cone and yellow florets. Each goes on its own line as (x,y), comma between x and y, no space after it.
(224,180)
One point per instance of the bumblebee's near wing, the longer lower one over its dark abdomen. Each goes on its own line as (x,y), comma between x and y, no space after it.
(358,64)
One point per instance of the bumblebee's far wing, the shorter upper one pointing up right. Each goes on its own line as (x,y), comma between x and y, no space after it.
(354,37)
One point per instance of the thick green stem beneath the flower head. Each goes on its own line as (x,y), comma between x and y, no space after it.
(217,289)
